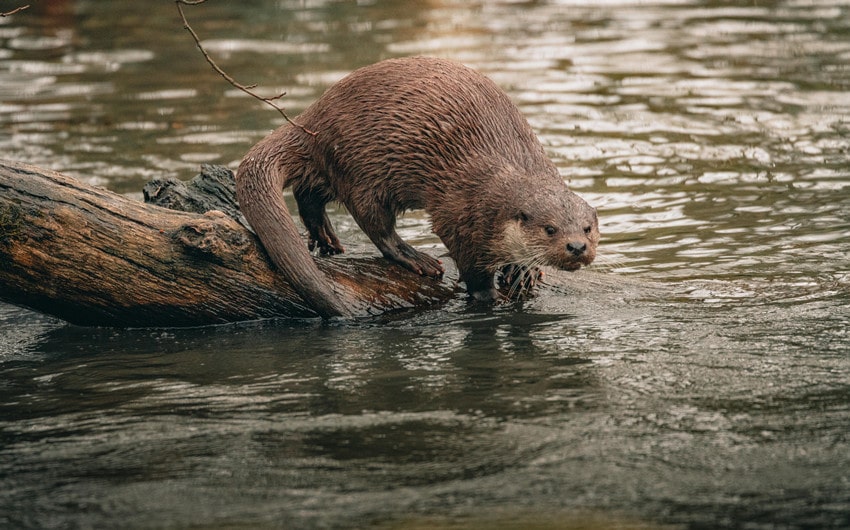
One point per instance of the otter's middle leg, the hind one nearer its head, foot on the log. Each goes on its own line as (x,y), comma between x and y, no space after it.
(379,225)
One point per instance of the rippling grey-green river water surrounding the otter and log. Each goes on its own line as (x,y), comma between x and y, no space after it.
(698,375)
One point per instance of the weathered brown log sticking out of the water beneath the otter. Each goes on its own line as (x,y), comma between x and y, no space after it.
(93,257)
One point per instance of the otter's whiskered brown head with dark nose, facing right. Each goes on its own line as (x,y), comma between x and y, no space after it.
(553,227)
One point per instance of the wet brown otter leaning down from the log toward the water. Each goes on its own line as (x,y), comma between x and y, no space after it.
(416,133)
